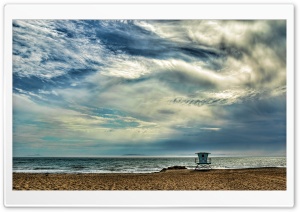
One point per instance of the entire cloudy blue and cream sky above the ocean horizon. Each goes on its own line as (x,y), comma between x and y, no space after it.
(149,87)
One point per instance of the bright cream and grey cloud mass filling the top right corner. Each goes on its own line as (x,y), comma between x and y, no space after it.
(265,59)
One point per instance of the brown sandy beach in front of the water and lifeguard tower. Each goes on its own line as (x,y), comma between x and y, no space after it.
(238,179)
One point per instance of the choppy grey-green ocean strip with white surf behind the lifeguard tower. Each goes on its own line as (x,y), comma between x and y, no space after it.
(133,164)
